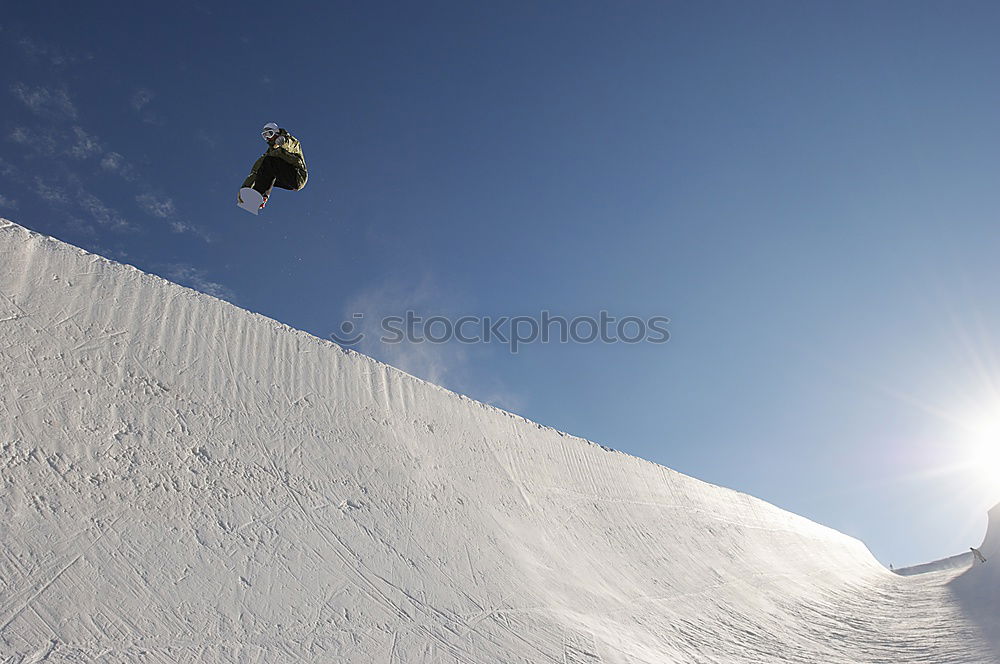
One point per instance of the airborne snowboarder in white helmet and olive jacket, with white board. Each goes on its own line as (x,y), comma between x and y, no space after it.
(282,166)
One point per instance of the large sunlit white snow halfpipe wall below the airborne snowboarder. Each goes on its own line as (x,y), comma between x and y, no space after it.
(185,481)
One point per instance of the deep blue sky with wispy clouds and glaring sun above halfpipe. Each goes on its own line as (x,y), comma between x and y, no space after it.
(808,190)
